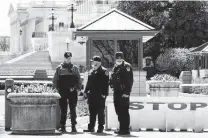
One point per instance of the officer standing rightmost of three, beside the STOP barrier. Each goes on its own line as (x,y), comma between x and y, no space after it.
(121,81)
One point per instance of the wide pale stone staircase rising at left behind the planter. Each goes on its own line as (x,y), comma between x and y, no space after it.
(26,65)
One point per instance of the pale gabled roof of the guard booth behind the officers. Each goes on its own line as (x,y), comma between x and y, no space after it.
(117,23)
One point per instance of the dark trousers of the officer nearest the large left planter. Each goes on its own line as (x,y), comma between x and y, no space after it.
(70,98)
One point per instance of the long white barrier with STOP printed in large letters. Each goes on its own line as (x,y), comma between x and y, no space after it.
(163,113)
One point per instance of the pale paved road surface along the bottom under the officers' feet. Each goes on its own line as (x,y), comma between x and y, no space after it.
(111,135)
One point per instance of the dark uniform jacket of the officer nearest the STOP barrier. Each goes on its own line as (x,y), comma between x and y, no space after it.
(122,78)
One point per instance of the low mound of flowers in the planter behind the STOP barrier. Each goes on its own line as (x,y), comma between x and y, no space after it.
(164,77)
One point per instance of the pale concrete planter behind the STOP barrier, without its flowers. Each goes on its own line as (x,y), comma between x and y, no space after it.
(164,88)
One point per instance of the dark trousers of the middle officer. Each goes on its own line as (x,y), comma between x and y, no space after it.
(96,107)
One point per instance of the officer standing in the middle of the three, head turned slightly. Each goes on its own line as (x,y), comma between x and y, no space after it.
(97,90)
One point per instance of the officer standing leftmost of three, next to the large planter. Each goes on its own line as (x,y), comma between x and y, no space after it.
(67,81)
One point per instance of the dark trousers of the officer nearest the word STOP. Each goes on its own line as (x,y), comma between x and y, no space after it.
(121,105)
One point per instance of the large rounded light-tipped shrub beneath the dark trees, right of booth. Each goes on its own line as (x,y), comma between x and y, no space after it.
(175,60)
